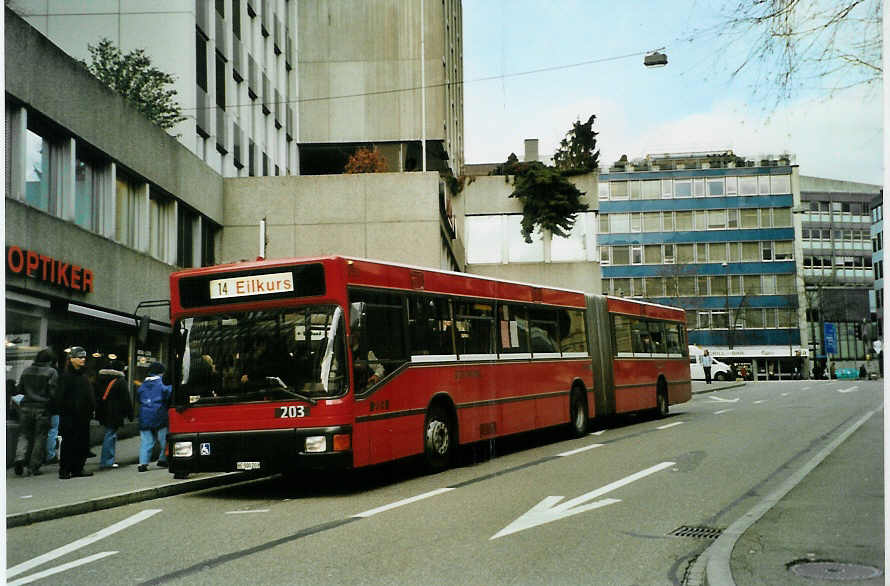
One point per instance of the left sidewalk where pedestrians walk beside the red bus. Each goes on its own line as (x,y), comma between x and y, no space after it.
(31,499)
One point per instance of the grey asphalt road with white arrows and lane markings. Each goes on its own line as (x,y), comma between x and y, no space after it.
(540,509)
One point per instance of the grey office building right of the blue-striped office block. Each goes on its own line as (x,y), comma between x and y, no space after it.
(838,268)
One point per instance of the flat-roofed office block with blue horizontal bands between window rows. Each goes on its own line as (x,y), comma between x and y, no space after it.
(713,233)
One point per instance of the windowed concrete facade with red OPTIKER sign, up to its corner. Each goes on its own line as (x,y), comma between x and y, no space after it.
(96,218)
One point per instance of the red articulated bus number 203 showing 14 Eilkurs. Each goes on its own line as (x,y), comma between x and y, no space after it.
(342,362)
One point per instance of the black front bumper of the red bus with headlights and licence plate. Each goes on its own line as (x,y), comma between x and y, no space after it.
(272,450)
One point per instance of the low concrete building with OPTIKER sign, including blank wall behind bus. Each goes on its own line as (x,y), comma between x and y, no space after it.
(102,205)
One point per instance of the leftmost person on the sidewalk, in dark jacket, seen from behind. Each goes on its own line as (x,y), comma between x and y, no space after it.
(38,385)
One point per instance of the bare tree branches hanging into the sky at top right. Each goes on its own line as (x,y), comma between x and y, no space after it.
(802,44)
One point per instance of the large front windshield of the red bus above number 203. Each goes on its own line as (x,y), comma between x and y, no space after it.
(271,355)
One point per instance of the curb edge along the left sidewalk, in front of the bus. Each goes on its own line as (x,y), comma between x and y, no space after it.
(126,498)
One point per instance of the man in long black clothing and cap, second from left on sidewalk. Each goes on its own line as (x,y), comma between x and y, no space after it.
(76,406)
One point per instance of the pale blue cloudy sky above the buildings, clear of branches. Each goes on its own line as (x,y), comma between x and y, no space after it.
(692,104)
